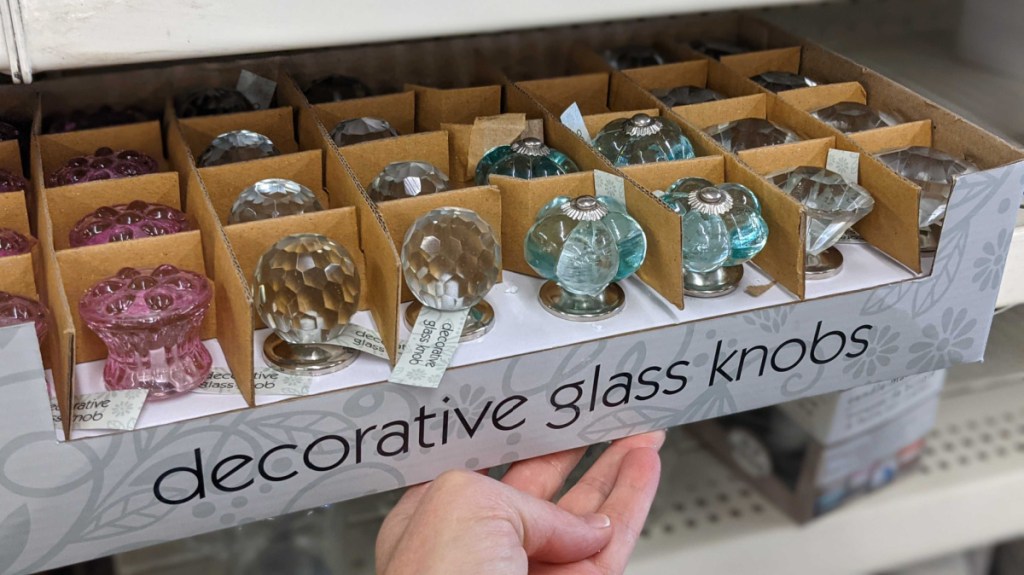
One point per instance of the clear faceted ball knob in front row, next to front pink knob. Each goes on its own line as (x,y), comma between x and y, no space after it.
(308,289)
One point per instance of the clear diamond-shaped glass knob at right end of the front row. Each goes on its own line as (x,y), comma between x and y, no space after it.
(935,172)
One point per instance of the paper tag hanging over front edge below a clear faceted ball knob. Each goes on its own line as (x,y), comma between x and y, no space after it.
(431,348)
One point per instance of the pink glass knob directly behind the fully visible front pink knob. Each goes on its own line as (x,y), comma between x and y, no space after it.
(127,222)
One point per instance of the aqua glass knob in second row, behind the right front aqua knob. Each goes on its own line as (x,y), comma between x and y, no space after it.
(643,140)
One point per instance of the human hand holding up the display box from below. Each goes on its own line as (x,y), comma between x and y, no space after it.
(465,523)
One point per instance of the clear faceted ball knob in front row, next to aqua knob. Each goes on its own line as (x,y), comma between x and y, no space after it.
(451,259)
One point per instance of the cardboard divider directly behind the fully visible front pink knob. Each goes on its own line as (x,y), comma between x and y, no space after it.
(83,268)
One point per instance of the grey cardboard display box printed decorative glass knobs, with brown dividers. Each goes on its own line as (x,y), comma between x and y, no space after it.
(536,383)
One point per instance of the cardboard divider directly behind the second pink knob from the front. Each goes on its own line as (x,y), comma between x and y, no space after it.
(68,205)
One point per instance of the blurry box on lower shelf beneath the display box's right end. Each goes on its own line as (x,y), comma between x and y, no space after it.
(812,457)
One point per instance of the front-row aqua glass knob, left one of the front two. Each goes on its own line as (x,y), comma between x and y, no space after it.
(583,247)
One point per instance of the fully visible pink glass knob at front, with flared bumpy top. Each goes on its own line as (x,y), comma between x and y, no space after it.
(150,321)
